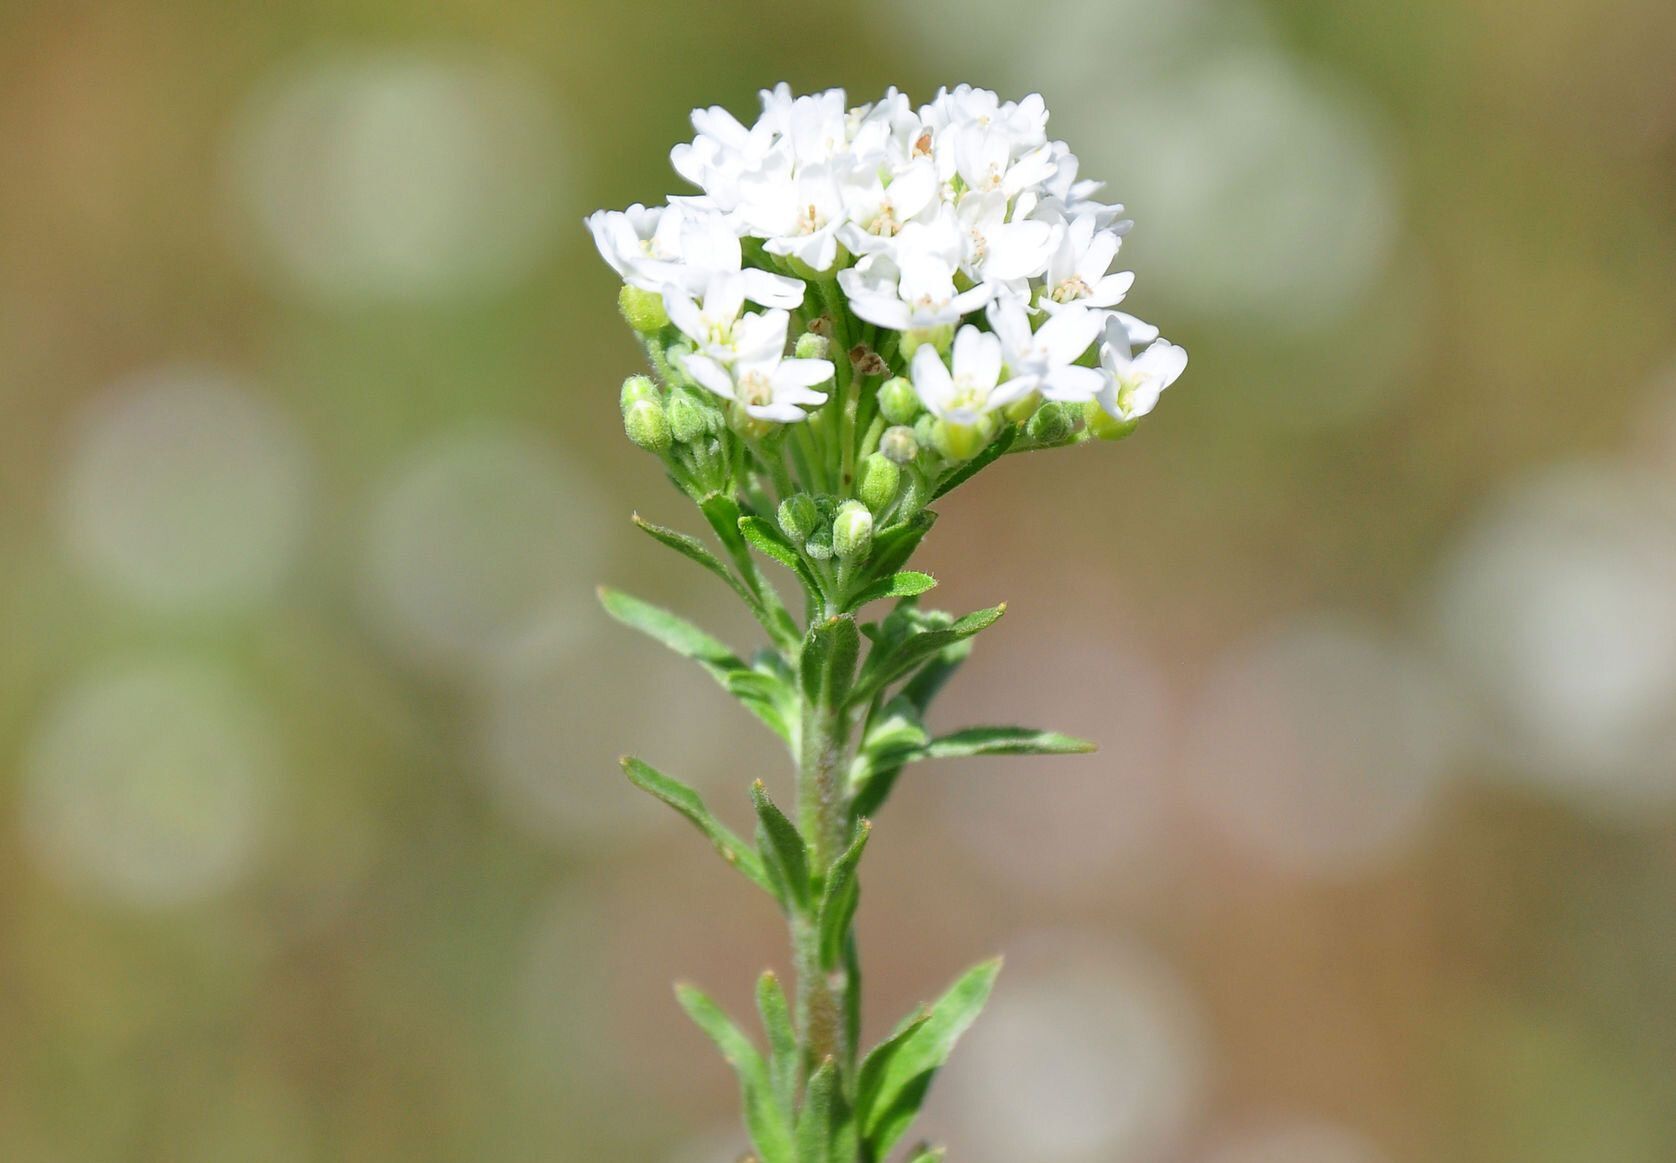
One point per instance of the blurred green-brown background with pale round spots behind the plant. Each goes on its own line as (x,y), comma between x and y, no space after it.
(313,845)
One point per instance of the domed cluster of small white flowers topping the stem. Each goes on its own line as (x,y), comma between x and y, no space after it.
(958,225)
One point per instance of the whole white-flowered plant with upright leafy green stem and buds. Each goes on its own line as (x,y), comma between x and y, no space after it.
(857,313)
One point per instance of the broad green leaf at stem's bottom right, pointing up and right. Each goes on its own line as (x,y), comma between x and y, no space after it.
(903,1080)
